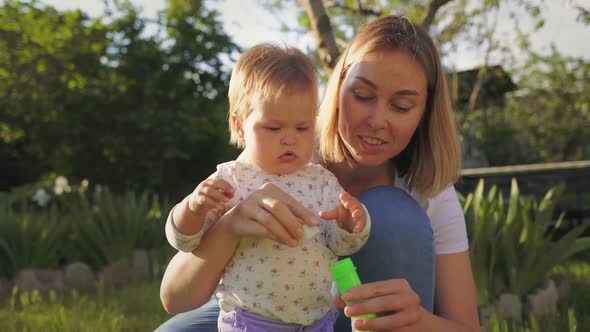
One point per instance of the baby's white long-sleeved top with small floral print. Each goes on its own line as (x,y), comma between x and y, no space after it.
(270,279)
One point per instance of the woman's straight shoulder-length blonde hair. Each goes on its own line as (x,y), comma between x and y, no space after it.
(432,160)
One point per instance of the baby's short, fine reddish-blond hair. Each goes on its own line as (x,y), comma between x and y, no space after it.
(265,72)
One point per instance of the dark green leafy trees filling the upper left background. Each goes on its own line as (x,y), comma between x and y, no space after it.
(101,99)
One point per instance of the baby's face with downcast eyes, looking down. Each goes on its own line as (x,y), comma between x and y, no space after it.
(279,134)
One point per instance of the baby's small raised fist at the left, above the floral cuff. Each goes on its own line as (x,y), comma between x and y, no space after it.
(210,194)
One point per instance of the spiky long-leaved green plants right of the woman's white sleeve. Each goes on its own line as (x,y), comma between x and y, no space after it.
(511,244)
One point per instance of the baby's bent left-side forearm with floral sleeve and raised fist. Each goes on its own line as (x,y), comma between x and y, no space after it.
(190,218)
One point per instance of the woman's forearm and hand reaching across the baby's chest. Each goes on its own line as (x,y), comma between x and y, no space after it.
(268,212)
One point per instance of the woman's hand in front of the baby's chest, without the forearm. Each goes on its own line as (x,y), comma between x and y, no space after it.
(271,213)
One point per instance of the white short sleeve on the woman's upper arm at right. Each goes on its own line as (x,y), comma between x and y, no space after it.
(448,222)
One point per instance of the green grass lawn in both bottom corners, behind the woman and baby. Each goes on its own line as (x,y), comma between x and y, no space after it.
(137,307)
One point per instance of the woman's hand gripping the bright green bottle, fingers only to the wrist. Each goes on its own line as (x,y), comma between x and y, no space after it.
(395,303)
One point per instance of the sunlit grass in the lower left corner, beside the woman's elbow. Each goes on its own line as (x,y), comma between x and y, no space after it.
(135,307)
